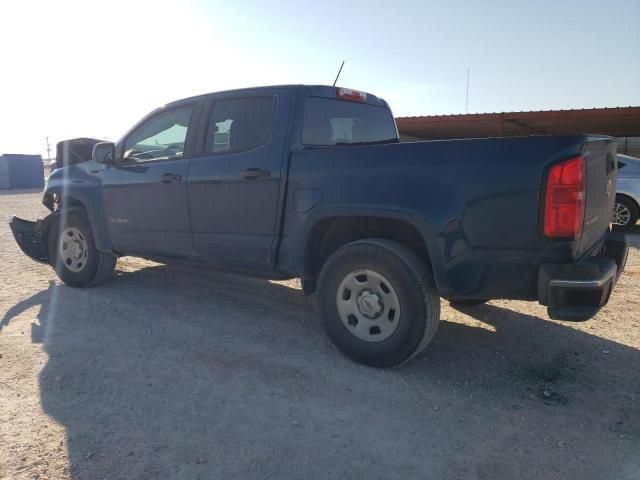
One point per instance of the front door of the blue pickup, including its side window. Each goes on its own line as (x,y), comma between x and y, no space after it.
(145,194)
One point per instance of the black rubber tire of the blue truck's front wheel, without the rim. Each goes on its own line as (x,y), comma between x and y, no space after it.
(97,266)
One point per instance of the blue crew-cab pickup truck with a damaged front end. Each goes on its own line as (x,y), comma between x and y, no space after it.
(312,182)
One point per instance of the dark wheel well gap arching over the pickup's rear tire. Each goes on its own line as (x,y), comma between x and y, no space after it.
(332,233)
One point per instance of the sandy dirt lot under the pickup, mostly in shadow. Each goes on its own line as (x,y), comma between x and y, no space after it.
(170,372)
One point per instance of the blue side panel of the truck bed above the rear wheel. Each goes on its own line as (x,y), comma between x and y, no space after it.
(476,203)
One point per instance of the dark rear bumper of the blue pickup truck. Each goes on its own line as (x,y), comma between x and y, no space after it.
(577,291)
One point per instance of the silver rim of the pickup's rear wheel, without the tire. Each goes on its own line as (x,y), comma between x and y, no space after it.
(368,305)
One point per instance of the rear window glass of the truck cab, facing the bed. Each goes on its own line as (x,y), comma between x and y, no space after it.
(339,122)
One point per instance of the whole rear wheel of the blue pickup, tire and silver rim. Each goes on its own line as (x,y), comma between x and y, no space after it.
(379,302)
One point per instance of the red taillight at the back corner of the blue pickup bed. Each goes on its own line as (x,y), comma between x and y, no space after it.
(564,201)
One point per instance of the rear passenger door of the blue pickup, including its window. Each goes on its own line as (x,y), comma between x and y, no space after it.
(234,185)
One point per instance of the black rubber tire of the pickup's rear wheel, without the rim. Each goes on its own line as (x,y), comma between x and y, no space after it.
(413,288)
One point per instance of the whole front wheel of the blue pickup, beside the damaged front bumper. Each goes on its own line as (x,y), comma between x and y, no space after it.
(73,254)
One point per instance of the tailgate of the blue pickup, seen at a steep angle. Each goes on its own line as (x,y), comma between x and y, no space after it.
(601,173)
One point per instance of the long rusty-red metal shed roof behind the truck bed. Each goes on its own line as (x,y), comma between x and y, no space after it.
(621,122)
